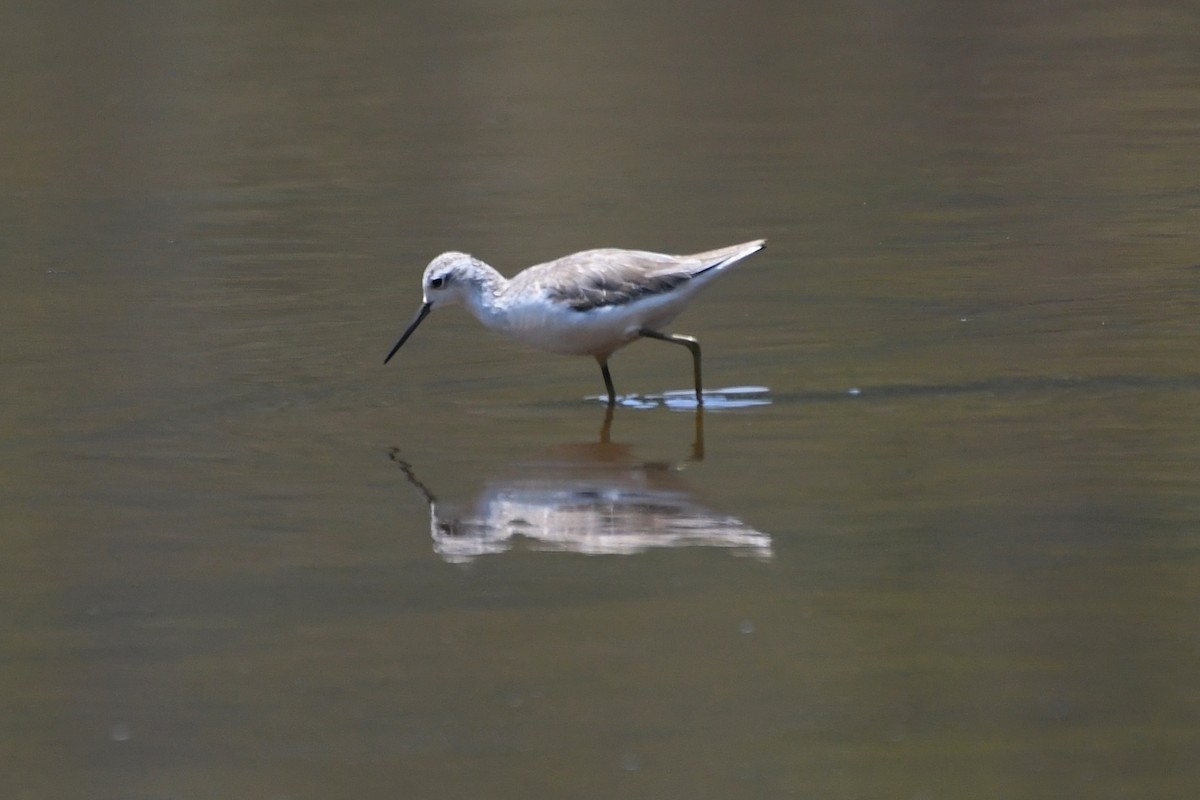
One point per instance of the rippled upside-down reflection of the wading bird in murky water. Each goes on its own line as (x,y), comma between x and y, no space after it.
(596,500)
